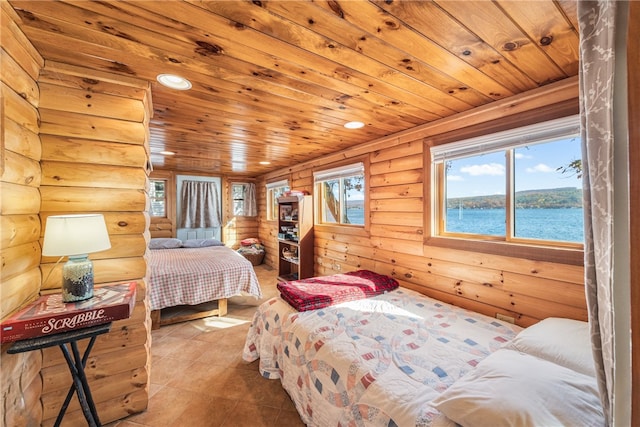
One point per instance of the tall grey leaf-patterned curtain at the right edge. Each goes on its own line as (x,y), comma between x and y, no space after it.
(597,60)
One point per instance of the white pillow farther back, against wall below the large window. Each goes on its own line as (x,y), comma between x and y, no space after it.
(566,342)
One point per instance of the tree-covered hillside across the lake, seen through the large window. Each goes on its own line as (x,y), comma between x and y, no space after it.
(555,198)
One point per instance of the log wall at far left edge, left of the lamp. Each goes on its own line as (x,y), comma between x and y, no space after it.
(20,277)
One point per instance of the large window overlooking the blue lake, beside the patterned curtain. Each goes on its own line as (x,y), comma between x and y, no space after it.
(522,185)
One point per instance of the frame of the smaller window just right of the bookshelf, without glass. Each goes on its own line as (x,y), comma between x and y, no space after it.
(342,171)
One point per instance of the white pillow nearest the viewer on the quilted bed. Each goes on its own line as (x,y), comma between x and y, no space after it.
(509,388)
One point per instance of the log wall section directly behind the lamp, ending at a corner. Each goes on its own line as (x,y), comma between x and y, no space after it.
(94,159)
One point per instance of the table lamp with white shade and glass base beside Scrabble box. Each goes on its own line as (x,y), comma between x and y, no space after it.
(76,236)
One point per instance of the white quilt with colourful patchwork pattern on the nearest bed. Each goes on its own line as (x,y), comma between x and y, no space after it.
(377,361)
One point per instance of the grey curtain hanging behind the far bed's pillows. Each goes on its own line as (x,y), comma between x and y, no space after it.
(200,207)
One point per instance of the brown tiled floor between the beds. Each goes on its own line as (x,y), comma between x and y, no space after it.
(198,377)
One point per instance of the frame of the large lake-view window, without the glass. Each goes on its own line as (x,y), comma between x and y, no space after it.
(504,141)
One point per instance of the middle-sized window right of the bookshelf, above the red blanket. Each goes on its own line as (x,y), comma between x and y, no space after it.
(341,195)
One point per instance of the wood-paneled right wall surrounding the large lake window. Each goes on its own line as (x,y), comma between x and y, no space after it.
(397,241)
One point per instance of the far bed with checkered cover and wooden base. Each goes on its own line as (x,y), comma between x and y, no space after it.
(197,276)
